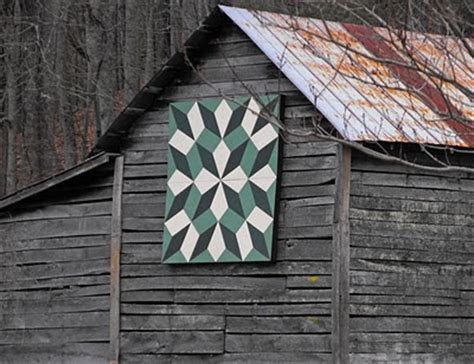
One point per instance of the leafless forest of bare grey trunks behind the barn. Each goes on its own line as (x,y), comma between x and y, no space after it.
(67,67)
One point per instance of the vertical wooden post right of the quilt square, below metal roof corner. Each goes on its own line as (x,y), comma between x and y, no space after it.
(340,259)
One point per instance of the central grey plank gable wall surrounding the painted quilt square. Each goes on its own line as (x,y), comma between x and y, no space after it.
(242,312)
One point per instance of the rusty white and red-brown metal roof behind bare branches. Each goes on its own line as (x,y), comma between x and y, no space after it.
(372,83)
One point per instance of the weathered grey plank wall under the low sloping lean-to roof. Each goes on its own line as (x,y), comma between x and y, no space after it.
(54,274)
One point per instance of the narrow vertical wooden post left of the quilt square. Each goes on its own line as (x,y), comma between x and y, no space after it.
(115,245)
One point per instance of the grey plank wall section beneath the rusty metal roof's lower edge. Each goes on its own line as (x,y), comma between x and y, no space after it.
(412,254)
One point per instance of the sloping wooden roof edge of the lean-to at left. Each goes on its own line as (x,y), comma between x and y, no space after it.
(86,166)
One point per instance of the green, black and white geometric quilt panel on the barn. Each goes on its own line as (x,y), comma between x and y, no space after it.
(222,181)
